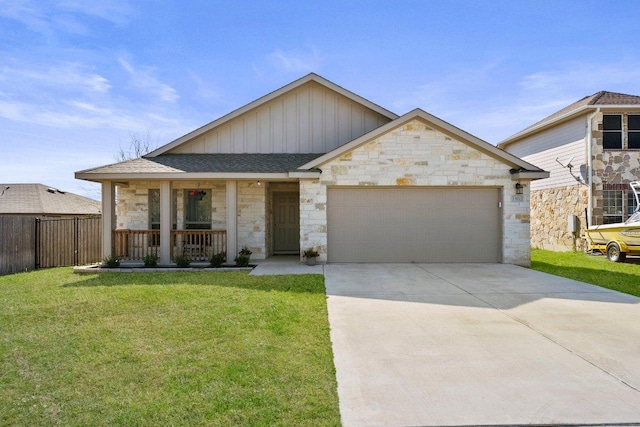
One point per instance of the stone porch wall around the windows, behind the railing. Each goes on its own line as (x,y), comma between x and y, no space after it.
(132,207)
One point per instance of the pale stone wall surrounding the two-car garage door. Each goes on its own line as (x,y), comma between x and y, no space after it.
(416,155)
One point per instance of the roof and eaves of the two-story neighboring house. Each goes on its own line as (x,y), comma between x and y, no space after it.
(602,99)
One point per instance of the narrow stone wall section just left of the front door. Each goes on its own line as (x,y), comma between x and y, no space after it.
(252,223)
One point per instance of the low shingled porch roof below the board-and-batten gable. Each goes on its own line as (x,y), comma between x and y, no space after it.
(227,164)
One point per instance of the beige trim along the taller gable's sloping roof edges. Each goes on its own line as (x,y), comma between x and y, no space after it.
(263,100)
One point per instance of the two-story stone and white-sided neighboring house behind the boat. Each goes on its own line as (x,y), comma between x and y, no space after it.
(592,150)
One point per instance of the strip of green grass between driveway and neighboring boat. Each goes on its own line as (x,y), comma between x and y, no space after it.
(622,277)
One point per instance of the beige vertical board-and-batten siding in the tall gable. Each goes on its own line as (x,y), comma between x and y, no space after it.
(309,119)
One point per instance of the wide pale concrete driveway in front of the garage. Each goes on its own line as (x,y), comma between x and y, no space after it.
(480,344)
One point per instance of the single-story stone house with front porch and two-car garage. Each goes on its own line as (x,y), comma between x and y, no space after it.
(314,165)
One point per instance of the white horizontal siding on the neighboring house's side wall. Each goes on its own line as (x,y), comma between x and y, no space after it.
(561,142)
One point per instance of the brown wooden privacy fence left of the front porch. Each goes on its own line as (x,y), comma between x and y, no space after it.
(28,243)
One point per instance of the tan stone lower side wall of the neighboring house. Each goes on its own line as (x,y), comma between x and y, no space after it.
(550,209)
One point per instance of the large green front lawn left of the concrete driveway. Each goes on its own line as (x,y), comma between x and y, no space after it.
(142,349)
